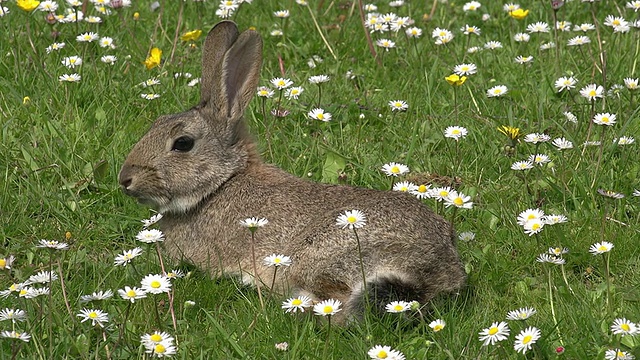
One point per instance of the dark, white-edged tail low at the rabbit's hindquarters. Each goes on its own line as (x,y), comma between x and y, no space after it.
(382,290)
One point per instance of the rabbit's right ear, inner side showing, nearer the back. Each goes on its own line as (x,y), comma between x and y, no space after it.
(240,74)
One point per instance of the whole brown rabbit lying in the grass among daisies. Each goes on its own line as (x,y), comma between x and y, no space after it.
(203,171)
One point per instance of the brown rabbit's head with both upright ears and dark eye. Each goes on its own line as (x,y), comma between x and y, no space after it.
(185,157)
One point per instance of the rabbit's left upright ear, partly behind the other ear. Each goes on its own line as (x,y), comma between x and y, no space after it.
(218,42)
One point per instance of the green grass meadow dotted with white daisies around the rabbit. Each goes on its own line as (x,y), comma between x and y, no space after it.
(527,111)
